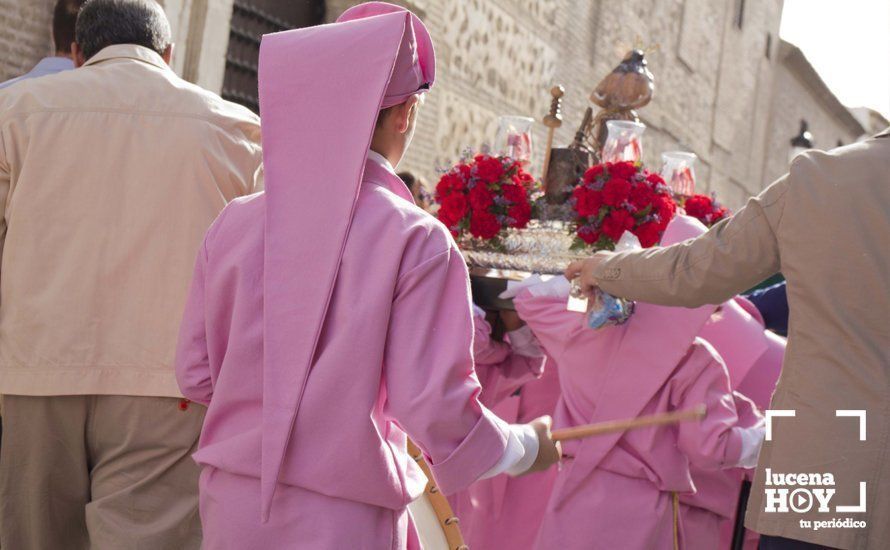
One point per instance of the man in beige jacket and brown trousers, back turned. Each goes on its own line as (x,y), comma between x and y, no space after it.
(109,176)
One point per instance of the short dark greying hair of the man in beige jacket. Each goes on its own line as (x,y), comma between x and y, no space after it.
(103,23)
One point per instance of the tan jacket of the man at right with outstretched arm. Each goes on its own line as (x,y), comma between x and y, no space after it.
(826,227)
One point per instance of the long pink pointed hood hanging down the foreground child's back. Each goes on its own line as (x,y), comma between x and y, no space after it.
(321,89)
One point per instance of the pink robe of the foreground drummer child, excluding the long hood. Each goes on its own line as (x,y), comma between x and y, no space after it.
(395,356)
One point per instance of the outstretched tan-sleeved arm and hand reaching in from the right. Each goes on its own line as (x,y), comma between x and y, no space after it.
(731,257)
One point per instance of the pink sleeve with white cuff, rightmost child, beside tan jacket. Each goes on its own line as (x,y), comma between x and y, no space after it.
(716,442)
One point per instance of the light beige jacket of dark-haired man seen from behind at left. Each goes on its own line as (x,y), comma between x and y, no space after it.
(109,176)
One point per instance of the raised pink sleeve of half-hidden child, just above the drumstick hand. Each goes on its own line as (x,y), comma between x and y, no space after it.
(501,372)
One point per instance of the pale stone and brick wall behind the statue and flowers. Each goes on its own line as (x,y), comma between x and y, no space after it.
(713,79)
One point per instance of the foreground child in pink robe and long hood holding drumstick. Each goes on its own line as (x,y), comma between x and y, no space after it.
(329,316)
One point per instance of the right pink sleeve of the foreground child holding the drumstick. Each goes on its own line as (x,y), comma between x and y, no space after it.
(431,387)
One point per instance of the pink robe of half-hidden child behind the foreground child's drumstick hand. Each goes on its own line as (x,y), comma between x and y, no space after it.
(504,511)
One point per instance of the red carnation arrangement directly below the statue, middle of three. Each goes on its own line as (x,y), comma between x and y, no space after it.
(612,198)
